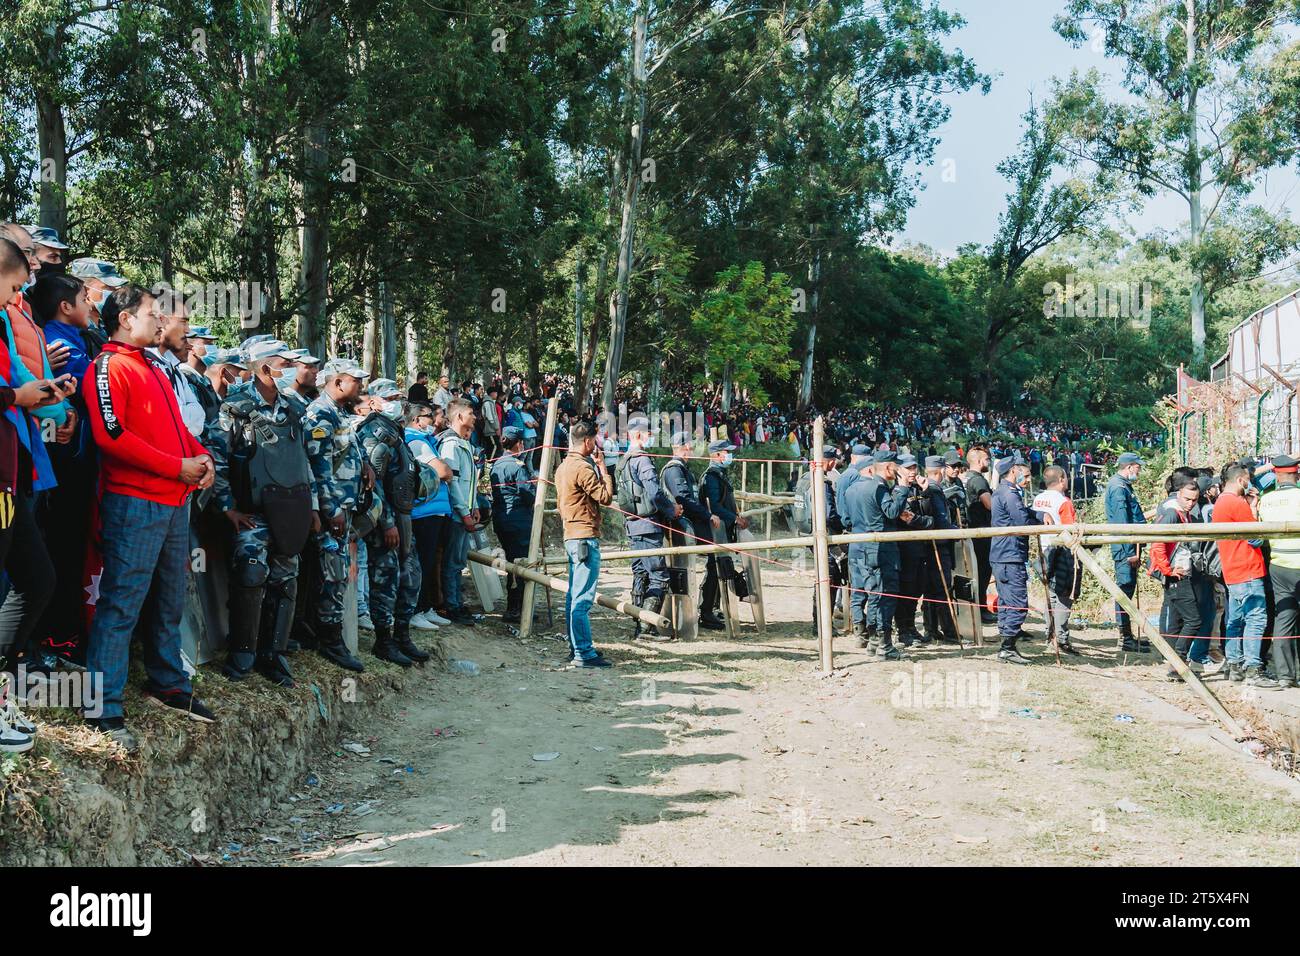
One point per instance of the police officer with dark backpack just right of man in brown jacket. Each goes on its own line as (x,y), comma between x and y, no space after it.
(652,509)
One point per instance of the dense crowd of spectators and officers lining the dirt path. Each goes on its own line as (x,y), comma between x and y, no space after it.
(129,435)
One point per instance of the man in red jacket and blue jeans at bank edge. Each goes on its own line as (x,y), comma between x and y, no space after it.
(149,466)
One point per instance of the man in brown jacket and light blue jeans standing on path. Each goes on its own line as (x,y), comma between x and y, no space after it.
(583,487)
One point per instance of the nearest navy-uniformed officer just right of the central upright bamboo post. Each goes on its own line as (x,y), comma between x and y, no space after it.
(879,504)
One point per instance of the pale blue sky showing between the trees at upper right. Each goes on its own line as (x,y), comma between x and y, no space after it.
(1013,42)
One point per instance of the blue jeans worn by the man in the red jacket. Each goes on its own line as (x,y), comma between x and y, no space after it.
(146,546)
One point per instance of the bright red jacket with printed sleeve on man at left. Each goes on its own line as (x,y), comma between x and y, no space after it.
(137,425)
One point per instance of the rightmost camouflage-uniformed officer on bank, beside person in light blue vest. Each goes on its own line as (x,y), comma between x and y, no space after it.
(393,564)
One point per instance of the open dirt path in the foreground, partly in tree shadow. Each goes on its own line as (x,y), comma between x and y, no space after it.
(740,754)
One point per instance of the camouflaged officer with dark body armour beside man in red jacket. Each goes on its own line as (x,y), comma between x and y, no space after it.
(265,486)
